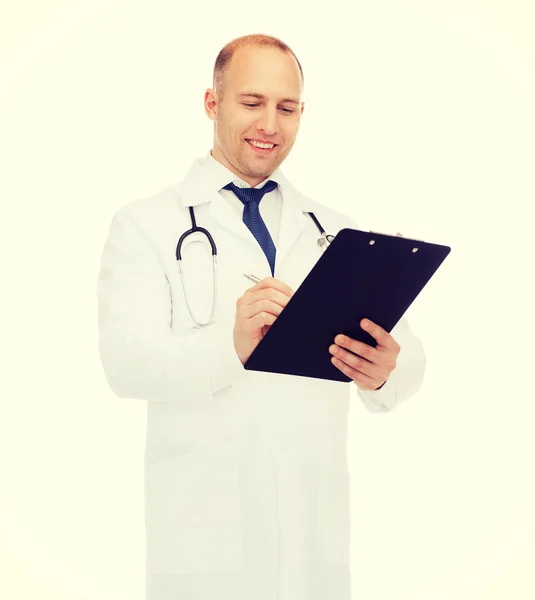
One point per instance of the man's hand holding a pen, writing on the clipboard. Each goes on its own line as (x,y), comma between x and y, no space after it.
(256,311)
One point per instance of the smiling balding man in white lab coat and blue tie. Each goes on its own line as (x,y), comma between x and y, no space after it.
(247,488)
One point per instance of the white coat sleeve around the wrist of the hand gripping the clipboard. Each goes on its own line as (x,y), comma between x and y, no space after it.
(407,378)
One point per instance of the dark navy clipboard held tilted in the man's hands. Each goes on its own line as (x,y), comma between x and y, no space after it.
(362,274)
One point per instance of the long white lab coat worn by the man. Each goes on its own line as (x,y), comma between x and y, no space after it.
(246,478)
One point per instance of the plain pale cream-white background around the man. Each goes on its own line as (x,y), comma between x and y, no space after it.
(419,118)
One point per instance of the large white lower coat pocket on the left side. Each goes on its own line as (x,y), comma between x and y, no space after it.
(193,514)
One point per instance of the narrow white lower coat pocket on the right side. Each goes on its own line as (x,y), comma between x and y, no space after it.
(334,523)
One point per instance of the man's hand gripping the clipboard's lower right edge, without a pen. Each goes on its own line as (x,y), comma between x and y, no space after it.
(368,367)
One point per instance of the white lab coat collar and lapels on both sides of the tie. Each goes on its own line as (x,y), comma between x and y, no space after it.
(203,182)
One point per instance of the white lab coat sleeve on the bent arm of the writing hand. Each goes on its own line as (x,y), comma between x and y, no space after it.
(142,357)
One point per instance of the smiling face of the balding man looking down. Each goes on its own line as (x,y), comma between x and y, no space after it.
(241,117)
